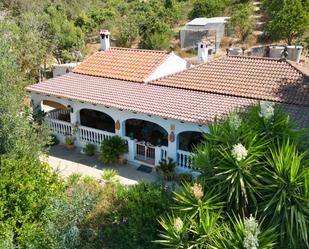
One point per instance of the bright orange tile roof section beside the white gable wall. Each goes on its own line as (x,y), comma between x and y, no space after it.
(123,63)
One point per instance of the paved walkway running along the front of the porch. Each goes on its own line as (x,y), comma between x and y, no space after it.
(70,162)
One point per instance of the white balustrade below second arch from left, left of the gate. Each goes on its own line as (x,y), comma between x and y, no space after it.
(94,136)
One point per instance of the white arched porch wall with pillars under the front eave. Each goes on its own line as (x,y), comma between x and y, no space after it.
(122,116)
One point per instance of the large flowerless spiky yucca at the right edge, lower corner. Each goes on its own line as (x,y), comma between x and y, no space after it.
(285,189)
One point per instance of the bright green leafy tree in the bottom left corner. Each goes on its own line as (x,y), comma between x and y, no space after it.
(26,187)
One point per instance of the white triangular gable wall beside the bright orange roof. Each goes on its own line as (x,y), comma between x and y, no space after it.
(173,64)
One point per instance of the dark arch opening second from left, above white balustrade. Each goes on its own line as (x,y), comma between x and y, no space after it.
(97,120)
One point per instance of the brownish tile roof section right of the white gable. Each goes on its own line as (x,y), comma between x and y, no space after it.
(250,77)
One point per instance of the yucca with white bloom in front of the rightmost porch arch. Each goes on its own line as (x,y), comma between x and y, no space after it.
(233,170)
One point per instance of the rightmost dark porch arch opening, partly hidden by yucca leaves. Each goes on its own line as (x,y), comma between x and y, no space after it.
(188,140)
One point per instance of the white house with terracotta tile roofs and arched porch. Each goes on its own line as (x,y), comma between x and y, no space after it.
(162,111)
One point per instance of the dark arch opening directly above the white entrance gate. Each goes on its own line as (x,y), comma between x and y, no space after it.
(147,131)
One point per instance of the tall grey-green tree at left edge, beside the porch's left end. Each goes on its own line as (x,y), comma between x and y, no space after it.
(18,135)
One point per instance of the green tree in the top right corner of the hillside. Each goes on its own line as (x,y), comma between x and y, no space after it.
(290,22)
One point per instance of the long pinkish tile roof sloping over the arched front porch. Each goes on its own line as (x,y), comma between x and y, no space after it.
(166,102)
